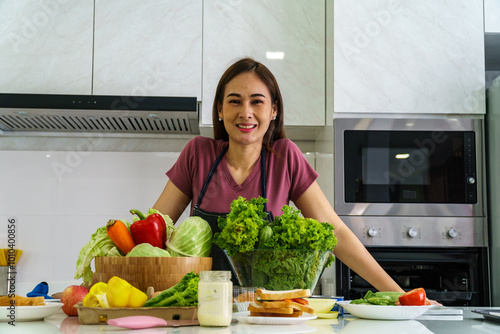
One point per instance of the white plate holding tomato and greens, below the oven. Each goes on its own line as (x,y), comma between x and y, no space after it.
(381,312)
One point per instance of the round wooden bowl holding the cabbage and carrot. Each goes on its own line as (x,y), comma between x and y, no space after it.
(142,272)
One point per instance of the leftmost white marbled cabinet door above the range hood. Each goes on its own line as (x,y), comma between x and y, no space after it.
(46,47)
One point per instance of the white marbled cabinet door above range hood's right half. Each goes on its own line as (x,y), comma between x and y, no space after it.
(148,48)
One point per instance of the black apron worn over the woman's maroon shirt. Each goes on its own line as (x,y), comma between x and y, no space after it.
(219,259)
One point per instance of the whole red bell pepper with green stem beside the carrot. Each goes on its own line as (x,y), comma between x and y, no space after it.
(150,229)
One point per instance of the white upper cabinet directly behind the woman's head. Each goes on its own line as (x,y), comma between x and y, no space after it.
(261,29)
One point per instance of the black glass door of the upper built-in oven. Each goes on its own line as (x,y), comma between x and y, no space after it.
(409,167)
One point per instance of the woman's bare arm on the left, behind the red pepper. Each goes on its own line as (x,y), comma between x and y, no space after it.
(172,202)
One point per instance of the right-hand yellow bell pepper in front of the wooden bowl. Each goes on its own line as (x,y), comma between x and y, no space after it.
(120,293)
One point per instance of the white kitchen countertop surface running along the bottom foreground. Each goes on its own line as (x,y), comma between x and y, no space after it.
(468,322)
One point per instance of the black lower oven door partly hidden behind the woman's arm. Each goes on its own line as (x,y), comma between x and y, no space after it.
(452,276)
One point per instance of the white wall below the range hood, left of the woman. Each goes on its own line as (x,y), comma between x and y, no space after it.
(61,197)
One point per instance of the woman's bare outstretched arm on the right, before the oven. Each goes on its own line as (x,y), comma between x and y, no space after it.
(349,249)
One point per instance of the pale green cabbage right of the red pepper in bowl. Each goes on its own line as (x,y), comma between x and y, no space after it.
(193,237)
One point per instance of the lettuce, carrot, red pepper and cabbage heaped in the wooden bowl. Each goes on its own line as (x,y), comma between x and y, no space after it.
(152,234)
